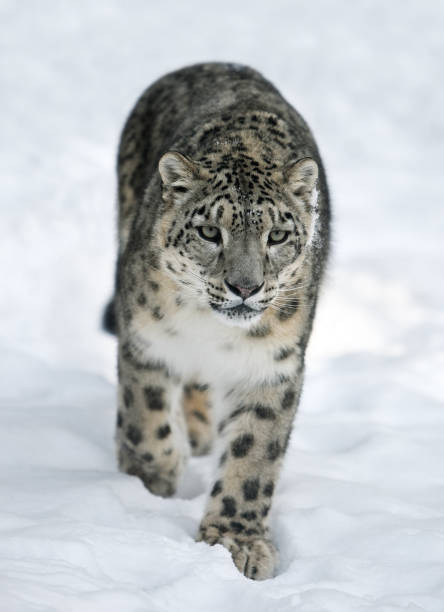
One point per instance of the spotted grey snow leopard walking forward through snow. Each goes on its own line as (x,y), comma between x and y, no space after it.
(223,232)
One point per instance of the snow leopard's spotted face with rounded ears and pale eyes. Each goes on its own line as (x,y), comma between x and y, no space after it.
(235,237)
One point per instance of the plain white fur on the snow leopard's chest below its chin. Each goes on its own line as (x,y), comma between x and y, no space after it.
(196,345)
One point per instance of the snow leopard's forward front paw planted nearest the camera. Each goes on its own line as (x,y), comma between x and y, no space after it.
(254,556)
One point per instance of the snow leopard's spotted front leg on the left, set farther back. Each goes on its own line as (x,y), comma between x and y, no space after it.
(151,432)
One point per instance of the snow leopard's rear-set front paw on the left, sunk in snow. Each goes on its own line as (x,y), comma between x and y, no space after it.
(160,479)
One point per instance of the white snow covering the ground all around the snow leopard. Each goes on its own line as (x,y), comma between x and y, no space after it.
(359,511)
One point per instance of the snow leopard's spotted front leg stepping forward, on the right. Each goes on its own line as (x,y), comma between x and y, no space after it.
(255,434)
